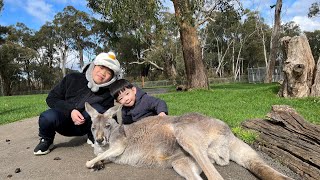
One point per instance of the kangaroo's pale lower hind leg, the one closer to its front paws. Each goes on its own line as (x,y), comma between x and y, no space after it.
(187,168)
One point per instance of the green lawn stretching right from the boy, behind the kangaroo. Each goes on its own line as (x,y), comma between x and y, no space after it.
(234,103)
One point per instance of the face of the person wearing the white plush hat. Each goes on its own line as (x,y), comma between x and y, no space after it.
(101,74)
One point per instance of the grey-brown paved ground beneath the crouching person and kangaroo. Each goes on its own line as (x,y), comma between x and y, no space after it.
(17,141)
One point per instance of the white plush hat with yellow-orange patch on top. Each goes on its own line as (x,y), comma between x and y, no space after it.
(108,60)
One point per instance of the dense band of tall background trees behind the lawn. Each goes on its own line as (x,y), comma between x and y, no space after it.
(147,42)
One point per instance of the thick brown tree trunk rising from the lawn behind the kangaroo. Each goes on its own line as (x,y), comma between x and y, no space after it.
(196,75)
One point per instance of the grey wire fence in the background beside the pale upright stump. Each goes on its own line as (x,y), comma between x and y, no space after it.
(257,75)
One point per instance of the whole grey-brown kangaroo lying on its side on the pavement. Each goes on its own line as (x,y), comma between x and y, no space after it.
(189,143)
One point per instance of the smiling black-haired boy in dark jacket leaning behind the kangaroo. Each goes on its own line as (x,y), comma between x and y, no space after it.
(136,103)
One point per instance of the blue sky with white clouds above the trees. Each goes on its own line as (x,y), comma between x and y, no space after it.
(34,13)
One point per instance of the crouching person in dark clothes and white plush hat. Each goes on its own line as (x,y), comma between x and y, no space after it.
(66,101)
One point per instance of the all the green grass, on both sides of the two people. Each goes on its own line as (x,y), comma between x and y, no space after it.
(232,103)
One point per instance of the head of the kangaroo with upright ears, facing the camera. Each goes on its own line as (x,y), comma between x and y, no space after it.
(102,124)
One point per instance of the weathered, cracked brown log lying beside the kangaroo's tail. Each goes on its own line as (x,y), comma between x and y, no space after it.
(287,137)
